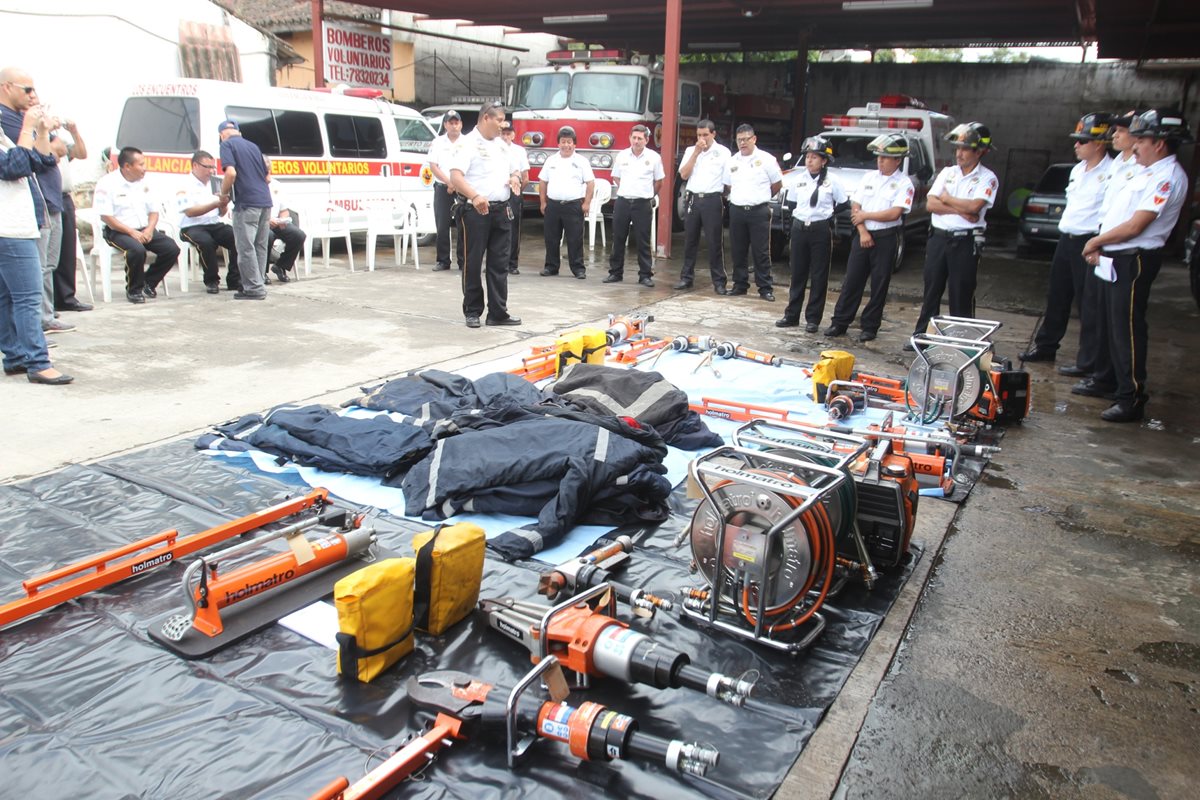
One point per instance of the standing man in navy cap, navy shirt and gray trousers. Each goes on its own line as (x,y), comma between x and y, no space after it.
(245,184)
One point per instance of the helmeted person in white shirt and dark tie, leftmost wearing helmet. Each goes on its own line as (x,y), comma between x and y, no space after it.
(813,195)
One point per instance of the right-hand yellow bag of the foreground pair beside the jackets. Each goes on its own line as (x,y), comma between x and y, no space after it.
(449,570)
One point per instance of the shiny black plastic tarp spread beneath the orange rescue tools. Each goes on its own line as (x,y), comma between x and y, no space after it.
(91,707)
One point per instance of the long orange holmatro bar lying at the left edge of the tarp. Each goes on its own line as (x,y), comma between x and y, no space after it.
(148,555)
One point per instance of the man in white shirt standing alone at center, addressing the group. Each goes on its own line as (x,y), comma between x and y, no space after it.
(483,177)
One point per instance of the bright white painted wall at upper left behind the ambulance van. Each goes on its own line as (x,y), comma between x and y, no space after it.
(86,55)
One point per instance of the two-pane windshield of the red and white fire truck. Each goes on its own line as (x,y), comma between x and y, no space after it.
(597,92)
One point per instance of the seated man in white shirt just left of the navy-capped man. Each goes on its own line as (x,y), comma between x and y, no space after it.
(200,224)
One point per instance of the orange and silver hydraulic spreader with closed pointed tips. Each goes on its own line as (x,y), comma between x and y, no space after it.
(593,645)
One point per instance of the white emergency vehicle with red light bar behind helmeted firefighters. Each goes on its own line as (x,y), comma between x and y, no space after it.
(850,135)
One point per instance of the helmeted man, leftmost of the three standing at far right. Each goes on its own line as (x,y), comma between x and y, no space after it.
(1081,221)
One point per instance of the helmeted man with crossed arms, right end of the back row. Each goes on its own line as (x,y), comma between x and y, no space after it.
(958,203)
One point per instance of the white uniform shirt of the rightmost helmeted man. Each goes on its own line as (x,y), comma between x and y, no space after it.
(1160,189)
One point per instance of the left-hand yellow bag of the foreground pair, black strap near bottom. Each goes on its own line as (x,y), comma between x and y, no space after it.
(375,618)
